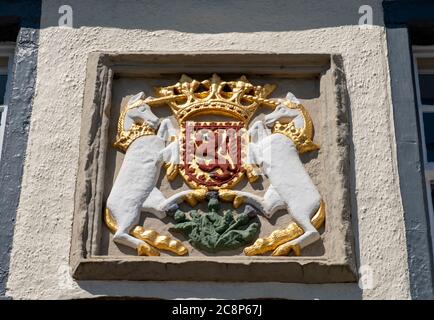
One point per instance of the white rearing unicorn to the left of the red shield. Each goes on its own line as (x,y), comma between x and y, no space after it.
(134,188)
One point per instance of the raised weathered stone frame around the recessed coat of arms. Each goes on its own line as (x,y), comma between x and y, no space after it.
(336,266)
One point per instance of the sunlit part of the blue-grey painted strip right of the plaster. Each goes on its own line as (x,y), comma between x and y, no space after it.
(409,165)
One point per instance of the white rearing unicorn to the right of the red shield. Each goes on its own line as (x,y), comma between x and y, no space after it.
(290,188)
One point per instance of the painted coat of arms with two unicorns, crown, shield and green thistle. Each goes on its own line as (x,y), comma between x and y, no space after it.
(215,147)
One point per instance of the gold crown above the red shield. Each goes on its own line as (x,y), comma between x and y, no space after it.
(238,99)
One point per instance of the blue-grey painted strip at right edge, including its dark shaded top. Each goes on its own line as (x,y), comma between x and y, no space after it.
(401,19)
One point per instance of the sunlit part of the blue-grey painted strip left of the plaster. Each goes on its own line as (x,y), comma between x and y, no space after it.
(15,141)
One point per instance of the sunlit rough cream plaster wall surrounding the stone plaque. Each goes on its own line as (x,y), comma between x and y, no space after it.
(39,262)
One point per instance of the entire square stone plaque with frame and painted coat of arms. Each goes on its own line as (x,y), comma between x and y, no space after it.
(221,167)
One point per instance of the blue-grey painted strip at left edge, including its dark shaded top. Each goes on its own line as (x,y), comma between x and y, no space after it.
(19,21)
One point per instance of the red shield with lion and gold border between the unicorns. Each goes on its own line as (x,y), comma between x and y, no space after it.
(212,153)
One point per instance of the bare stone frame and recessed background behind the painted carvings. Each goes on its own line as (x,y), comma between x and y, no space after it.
(318,81)
